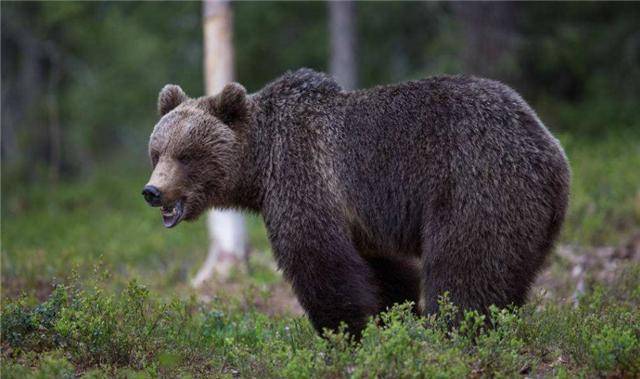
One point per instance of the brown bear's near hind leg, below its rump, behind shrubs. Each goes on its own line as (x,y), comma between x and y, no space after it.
(477,266)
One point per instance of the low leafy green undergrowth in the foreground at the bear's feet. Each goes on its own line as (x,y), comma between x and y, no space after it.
(91,332)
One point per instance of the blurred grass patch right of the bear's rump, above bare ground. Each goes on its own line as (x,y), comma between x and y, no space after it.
(605,189)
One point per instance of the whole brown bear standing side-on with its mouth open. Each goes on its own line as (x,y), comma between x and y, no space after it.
(375,196)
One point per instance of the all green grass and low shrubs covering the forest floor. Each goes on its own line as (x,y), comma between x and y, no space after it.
(94,286)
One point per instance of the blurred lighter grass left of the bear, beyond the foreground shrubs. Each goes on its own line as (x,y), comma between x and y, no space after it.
(48,231)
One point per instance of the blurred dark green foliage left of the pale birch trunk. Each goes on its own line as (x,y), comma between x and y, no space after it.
(101,66)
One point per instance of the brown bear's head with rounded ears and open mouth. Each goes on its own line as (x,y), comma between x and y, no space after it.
(195,151)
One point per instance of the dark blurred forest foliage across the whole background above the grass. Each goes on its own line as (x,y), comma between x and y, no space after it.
(80,80)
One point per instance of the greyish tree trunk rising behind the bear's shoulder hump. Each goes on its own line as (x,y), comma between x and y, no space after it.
(343,64)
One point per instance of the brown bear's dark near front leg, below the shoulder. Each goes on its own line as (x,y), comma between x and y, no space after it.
(332,282)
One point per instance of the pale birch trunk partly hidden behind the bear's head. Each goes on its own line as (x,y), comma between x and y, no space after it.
(228,245)
